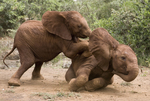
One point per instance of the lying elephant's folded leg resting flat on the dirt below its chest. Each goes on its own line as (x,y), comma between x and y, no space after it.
(95,84)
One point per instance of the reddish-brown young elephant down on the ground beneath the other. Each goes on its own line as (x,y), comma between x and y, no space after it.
(109,58)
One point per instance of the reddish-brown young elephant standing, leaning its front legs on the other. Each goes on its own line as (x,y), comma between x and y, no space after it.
(41,41)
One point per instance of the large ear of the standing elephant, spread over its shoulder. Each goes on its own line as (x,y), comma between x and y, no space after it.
(54,22)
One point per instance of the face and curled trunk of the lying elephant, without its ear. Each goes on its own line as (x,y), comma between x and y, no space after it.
(124,62)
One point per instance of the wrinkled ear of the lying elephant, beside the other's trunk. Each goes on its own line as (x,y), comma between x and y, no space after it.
(101,44)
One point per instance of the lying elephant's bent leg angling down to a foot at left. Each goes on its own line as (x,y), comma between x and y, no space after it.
(80,81)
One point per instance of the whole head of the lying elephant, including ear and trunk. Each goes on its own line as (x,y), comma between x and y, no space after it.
(109,53)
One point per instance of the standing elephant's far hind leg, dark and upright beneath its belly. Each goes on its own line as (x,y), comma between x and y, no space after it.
(36,72)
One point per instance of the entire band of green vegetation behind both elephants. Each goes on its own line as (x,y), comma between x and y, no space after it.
(128,21)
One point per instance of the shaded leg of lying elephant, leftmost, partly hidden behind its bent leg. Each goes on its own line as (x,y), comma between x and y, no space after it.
(69,74)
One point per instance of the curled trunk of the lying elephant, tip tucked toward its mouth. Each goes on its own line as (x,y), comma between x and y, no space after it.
(132,74)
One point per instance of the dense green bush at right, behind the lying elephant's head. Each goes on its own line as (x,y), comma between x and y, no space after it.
(130,25)
